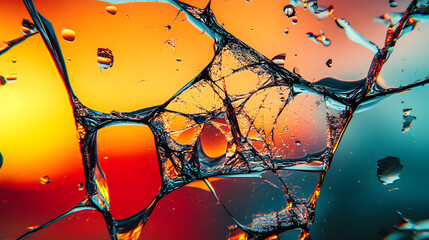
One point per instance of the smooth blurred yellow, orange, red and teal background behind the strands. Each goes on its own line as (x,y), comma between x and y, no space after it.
(38,136)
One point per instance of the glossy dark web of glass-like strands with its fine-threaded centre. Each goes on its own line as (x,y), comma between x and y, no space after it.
(242,136)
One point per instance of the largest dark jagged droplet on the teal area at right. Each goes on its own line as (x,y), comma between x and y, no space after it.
(388,170)
